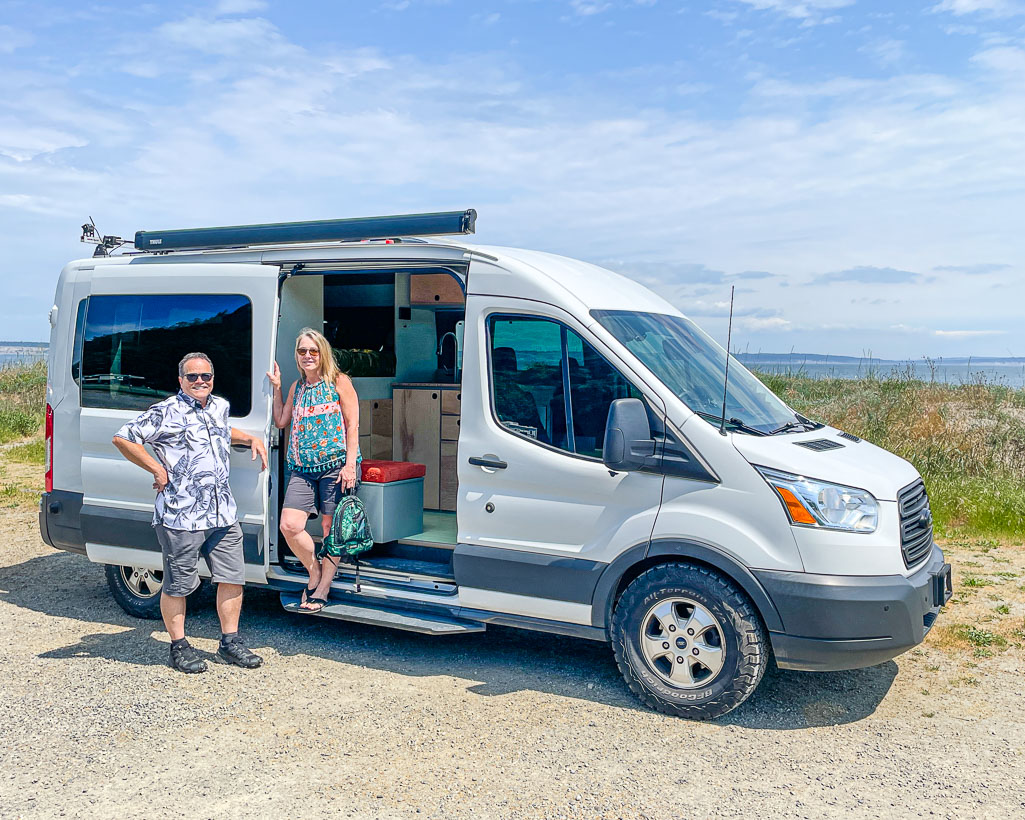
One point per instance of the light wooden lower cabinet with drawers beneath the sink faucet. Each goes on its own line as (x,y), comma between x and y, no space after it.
(425,433)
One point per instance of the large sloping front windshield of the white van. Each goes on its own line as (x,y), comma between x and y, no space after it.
(693,366)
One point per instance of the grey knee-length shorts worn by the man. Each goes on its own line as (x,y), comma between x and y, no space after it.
(222,547)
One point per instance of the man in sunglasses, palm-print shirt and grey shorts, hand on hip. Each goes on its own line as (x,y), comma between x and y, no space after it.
(195,513)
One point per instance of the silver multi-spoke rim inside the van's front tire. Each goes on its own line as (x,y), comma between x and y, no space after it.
(682,643)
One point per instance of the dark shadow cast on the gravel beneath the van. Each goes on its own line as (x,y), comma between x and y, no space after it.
(495,664)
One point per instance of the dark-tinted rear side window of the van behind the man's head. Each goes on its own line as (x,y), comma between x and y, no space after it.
(133,346)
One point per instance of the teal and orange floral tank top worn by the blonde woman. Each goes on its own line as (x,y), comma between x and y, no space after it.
(318,440)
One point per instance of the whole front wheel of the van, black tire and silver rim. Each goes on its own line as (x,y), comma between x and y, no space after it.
(689,642)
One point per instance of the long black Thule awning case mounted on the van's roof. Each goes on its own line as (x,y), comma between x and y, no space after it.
(366,228)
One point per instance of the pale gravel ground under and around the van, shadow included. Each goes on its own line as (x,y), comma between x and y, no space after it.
(349,721)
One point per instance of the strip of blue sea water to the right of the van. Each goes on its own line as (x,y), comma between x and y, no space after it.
(1012,376)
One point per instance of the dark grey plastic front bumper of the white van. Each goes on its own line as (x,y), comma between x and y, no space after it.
(837,623)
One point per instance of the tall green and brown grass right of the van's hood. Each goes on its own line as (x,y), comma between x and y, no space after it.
(968,441)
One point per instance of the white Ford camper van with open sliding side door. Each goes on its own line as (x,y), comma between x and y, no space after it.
(586,469)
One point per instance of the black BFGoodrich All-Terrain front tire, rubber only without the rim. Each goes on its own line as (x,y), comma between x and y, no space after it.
(746,642)
